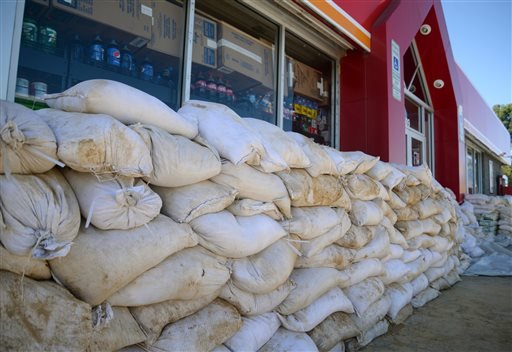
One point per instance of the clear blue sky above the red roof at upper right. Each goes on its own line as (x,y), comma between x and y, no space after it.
(481,39)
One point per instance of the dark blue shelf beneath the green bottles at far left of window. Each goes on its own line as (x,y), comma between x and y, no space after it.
(37,59)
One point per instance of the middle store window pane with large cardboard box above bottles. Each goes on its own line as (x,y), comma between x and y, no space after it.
(233,59)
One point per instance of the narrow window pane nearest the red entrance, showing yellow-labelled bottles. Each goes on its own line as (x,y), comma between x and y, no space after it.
(307,95)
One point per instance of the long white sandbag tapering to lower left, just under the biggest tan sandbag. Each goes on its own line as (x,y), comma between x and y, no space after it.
(189,274)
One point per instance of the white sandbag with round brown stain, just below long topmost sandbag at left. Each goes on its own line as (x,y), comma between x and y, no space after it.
(98,143)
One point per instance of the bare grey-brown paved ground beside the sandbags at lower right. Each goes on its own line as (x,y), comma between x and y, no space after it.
(474,315)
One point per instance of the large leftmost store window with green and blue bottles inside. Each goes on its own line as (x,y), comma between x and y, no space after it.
(139,43)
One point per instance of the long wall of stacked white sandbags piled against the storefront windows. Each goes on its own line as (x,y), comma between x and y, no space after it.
(200,230)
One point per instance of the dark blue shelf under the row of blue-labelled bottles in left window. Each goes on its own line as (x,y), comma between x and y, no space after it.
(79,71)
